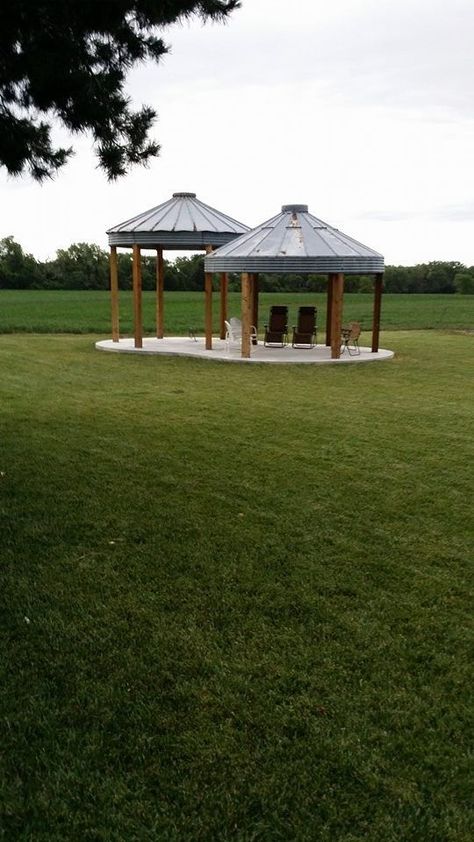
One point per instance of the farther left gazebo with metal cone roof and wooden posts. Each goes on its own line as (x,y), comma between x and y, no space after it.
(181,223)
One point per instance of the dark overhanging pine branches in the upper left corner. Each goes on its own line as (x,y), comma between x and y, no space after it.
(69,61)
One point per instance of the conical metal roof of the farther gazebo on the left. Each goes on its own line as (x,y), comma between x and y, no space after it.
(183,222)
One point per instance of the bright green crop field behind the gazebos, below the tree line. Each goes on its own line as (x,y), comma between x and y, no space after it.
(89,312)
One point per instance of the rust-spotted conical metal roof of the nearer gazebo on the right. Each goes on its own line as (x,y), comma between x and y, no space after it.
(295,241)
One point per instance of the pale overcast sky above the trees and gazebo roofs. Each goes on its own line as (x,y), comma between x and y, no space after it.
(362,109)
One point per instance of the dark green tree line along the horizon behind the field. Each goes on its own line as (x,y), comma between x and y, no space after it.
(86,266)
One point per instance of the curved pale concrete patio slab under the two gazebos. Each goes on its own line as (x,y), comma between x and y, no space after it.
(183,346)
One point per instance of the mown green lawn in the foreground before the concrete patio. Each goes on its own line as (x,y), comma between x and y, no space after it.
(237,601)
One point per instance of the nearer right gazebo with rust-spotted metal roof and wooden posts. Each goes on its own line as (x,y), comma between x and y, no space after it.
(297,241)
